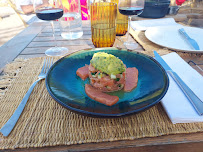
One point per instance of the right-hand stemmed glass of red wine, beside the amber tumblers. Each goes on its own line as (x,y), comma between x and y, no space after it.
(130,8)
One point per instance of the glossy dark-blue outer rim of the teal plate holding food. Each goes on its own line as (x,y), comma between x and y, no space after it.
(93,114)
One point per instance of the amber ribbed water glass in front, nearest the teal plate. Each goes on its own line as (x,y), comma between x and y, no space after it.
(103,23)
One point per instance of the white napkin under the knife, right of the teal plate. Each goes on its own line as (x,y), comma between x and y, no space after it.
(176,104)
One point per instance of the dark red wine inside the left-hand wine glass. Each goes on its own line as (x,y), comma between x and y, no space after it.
(49,14)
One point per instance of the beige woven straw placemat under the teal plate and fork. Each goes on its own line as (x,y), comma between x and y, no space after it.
(45,123)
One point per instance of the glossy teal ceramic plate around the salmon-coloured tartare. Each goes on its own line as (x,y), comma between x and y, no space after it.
(68,89)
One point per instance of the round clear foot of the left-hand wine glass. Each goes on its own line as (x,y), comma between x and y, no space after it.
(56,51)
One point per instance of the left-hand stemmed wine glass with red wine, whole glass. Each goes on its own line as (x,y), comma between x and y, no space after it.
(50,10)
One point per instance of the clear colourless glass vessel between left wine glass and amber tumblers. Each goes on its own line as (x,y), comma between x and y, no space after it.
(71,22)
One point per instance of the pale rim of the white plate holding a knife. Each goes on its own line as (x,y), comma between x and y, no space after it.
(171,48)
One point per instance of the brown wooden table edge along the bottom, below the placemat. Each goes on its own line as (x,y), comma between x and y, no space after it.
(170,143)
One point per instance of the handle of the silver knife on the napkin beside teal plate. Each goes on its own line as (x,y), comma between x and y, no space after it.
(196,102)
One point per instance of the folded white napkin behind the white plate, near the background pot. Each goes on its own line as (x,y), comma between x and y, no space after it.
(144,24)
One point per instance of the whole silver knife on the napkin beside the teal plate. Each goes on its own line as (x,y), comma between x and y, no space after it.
(195,101)
